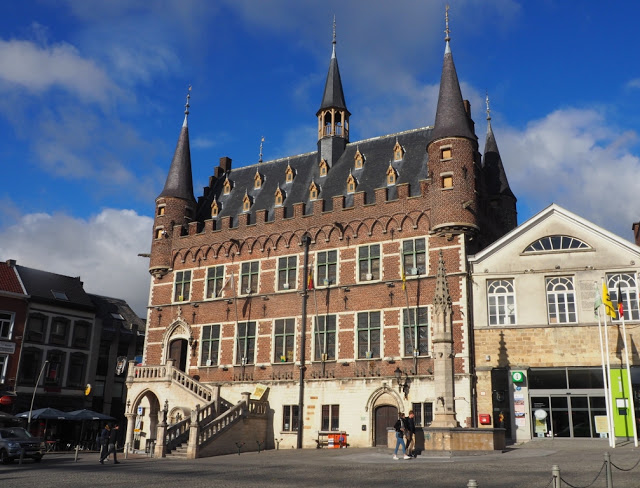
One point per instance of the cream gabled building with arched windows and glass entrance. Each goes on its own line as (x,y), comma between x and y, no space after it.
(537,338)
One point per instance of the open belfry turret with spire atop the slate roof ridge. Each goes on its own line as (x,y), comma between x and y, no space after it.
(333,116)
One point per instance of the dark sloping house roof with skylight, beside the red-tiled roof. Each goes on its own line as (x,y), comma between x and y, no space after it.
(41,284)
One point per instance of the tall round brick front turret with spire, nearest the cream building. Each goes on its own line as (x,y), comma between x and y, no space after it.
(453,156)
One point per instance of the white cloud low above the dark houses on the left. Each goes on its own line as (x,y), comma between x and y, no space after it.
(102,250)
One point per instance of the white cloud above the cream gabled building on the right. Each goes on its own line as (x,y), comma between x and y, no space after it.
(577,159)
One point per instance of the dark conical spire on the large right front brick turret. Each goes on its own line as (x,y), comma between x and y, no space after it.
(451,116)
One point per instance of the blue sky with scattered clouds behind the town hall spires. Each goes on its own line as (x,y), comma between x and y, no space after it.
(92,96)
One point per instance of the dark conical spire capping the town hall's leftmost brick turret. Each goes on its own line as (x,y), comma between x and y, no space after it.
(179,182)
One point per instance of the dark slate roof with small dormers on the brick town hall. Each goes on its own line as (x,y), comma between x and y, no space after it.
(377,152)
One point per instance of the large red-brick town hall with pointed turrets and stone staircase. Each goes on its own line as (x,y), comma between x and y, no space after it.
(332,284)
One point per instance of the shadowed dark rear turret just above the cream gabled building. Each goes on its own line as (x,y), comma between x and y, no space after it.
(501,200)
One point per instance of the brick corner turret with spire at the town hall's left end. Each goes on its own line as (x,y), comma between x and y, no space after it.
(176,205)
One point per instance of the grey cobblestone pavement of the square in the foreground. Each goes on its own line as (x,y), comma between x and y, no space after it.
(525,466)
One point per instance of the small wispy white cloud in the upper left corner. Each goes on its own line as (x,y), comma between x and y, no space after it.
(38,68)
